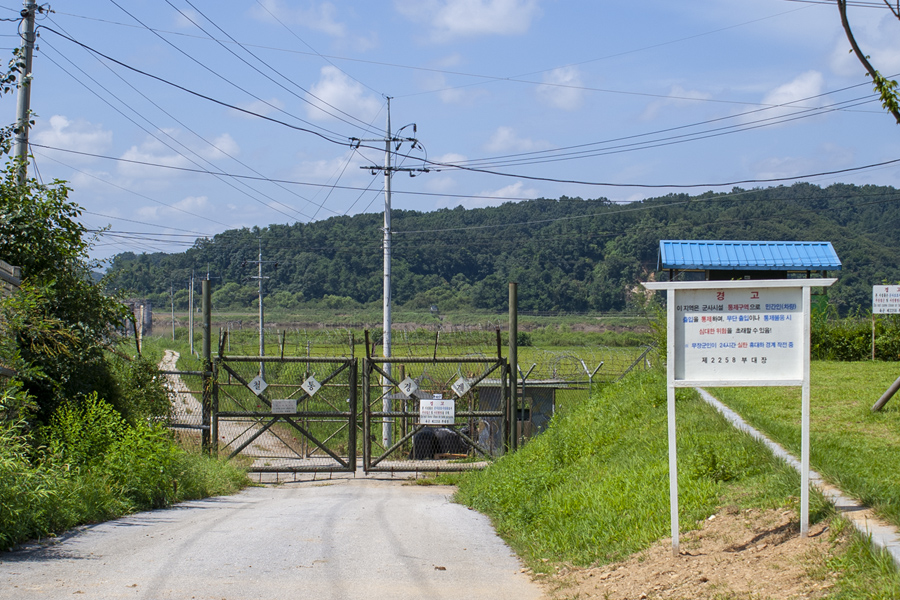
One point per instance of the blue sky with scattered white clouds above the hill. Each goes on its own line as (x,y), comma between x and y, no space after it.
(538,93)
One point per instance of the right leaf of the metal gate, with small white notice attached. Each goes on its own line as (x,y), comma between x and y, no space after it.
(434,414)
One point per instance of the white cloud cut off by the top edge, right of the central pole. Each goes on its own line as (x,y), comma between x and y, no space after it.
(451,19)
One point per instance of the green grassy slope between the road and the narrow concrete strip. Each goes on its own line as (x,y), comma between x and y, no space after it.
(594,487)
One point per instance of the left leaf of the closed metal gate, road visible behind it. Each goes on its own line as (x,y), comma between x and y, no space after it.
(294,414)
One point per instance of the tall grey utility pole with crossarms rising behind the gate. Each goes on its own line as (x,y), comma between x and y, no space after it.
(386,433)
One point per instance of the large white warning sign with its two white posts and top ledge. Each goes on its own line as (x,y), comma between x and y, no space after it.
(741,333)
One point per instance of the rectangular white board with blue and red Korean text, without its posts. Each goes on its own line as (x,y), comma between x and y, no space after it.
(739,334)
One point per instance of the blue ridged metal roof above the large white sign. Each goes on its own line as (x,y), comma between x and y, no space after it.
(755,256)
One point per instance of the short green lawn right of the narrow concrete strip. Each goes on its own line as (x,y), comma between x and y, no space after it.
(852,447)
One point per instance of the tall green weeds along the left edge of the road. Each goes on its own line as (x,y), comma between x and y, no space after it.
(96,466)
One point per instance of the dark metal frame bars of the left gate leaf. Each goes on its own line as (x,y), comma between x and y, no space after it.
(262,422)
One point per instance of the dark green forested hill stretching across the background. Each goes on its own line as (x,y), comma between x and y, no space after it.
(567,255)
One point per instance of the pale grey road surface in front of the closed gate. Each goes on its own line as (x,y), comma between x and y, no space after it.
(338,539)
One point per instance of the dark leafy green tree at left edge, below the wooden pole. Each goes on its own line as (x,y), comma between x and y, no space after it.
(59,323)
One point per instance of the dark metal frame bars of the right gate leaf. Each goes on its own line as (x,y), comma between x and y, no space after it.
(474,414)
